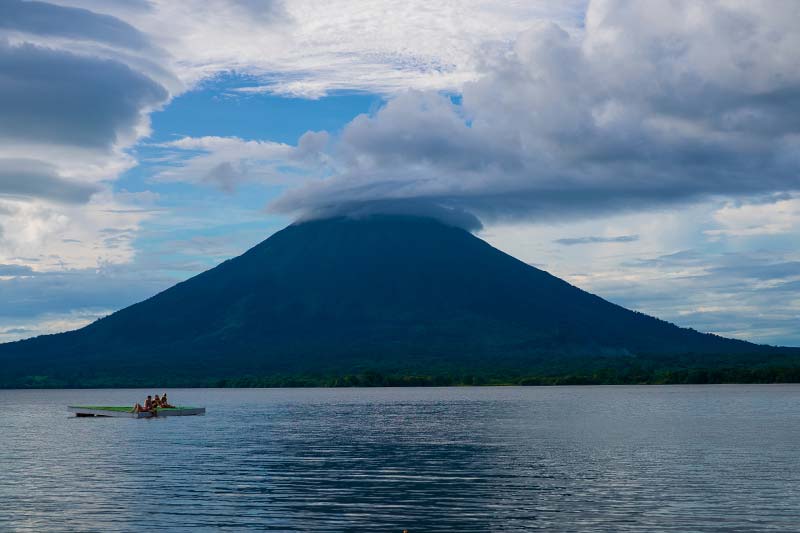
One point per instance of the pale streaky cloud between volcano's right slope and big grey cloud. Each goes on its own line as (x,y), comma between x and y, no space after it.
(674,271)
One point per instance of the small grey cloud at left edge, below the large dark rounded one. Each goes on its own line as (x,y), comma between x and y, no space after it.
(27,178)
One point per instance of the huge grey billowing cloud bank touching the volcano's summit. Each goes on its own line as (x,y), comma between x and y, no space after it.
(649,105)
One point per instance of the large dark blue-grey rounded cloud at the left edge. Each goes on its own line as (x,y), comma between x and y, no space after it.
(54,96)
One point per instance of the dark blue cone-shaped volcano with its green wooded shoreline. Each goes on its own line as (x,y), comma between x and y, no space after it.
(382,301)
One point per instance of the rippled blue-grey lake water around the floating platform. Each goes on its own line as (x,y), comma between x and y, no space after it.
(674,458)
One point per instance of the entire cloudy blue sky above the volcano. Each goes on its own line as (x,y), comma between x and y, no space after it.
(648,152)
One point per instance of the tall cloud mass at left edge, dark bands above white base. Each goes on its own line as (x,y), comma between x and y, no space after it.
(76,92)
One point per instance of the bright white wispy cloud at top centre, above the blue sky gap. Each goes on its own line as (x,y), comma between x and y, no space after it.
(311,47)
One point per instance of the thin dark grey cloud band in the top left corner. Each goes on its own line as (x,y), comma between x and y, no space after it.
(51,20)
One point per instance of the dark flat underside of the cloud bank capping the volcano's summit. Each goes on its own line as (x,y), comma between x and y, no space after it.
(492,200)
